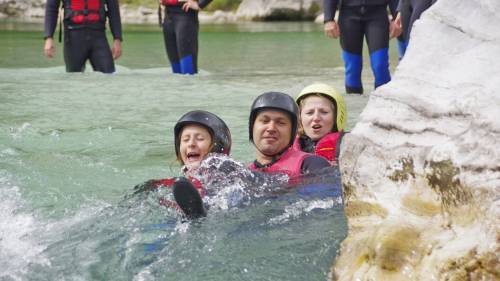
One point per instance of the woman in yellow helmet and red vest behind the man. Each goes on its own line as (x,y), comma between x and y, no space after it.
(322,118)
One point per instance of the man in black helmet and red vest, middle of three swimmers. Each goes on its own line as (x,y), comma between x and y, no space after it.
(272,129)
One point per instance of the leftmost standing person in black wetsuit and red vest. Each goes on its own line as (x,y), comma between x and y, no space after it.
(84,33)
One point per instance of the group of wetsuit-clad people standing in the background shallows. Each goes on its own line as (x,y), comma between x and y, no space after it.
(85,38)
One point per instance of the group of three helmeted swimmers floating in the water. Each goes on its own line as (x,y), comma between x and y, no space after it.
(291,137)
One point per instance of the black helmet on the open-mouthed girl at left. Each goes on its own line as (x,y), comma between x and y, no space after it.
(221,136)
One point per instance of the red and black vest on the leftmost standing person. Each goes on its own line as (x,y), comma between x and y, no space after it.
(84,13)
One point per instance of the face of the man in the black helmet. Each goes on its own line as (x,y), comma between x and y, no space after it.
(271,132)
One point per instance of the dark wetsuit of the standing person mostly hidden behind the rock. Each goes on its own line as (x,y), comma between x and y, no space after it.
(410,10)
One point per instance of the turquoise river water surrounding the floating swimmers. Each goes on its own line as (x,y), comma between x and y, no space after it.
(72,146)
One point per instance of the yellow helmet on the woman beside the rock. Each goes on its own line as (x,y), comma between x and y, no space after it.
(331,93)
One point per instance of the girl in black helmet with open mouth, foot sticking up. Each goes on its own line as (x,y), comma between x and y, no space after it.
(196,134)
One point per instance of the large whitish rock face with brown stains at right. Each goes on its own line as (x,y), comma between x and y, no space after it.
(421,169)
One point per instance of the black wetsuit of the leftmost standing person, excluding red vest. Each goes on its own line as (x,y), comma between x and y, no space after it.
(85,41)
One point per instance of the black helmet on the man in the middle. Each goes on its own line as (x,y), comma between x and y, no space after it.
(278,101)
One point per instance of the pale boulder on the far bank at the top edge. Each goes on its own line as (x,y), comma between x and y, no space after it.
(279,9)
